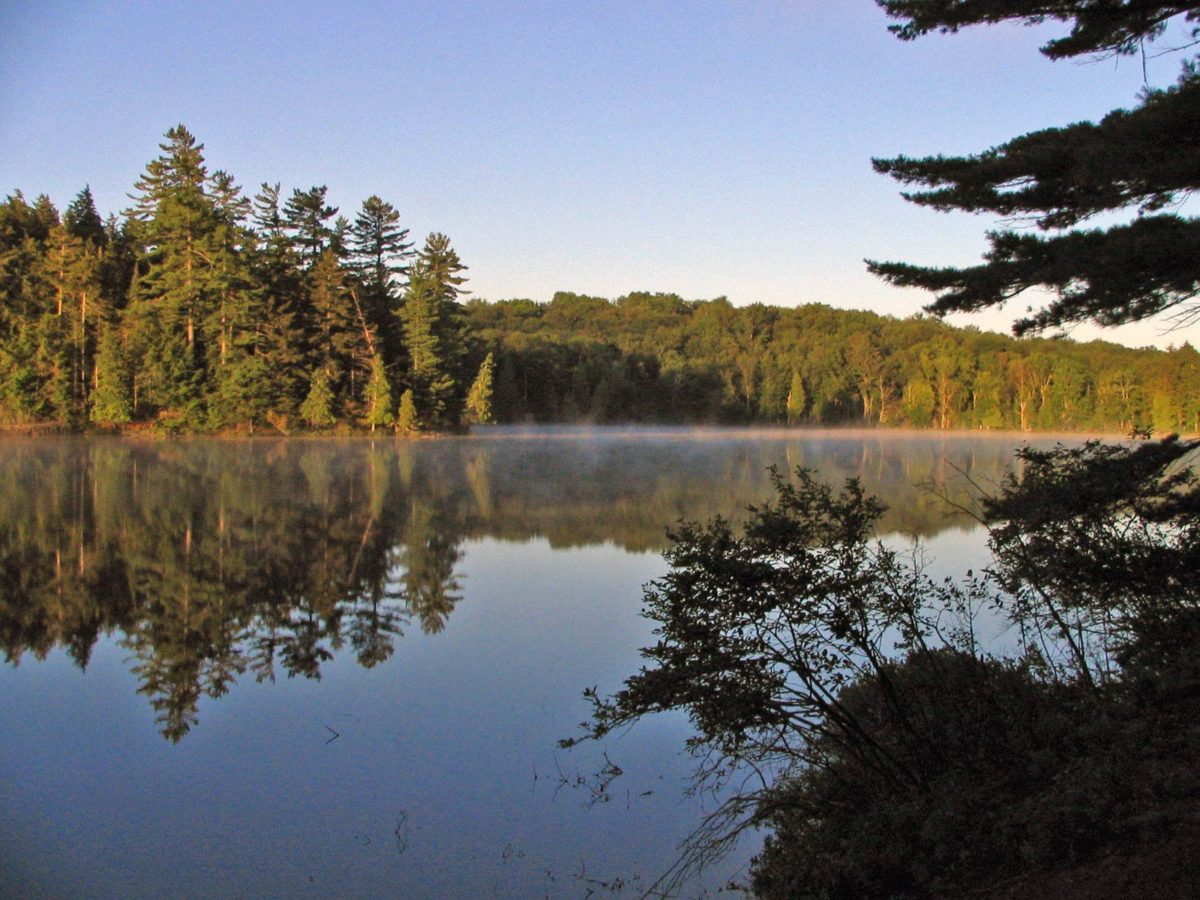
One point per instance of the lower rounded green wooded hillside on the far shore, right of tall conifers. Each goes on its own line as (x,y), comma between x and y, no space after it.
(659,358)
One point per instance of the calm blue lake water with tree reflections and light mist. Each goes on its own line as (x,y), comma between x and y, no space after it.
(341,668)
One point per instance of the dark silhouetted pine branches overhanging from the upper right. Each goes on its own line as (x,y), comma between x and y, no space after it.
(1139,161)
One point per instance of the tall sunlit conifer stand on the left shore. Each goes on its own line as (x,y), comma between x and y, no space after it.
(203,309)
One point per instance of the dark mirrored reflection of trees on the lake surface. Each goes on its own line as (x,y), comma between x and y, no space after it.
(214,561)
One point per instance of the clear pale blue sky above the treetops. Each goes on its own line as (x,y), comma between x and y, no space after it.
(701,148)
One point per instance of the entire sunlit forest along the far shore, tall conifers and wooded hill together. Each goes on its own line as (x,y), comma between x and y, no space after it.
(203,310)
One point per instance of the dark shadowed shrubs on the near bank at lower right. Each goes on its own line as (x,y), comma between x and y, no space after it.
(842,699)
